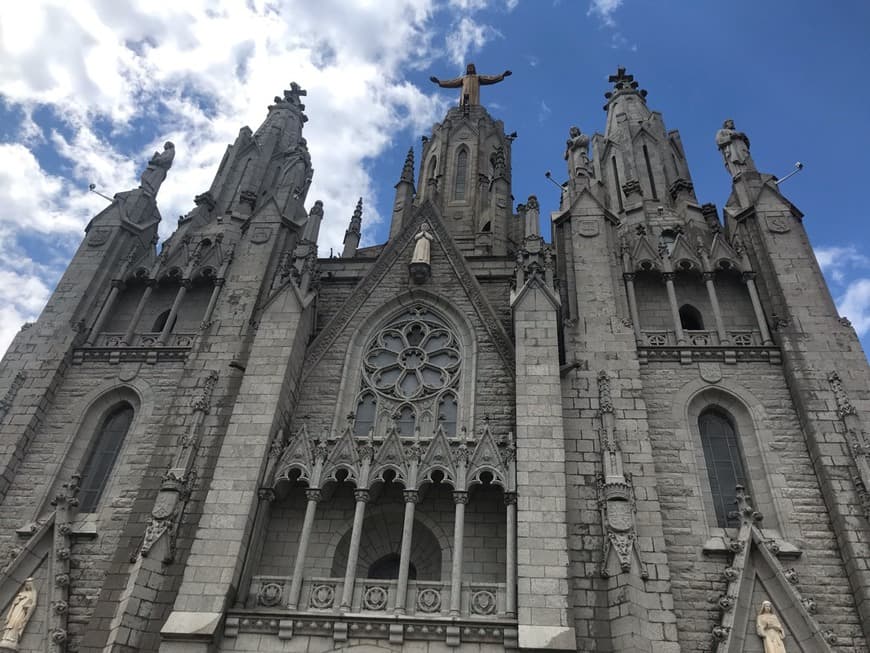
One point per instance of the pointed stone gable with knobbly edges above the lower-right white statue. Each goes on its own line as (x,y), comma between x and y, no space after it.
(755,571)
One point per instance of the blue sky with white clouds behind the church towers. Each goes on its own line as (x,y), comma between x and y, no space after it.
(90,89)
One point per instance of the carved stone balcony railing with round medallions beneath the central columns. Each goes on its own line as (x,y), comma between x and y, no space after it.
(424,598)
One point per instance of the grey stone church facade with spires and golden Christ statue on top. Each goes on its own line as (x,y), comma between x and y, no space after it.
(647,435)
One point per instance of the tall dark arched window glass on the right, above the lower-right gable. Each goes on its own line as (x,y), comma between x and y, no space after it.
(724,461)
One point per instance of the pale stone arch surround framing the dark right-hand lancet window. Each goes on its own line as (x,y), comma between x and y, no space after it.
(750,421)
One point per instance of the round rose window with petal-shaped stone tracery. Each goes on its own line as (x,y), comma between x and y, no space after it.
(412,359)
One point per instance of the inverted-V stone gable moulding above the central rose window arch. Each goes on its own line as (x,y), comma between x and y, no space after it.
(385,263)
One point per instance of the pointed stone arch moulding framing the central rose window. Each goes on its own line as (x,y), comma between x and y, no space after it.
(349,388)
